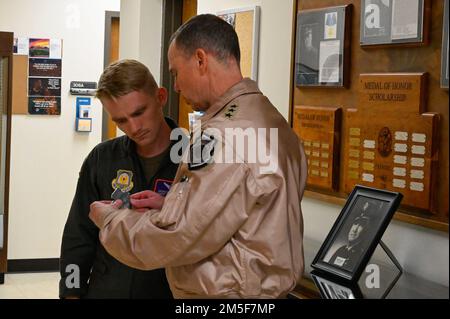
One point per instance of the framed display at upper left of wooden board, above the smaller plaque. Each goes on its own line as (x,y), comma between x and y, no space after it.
(322,47)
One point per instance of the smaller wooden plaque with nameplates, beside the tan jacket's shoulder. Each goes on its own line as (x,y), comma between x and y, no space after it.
(319,128)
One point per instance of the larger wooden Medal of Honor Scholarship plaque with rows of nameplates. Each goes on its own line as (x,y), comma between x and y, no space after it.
(389,142)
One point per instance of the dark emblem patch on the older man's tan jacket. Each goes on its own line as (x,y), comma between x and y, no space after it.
(201,152)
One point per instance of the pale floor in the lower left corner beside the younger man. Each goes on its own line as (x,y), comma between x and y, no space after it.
(30,286)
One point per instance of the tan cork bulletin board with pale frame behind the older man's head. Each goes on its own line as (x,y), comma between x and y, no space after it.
(246,23)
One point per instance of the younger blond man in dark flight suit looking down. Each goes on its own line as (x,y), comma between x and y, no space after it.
(135,162)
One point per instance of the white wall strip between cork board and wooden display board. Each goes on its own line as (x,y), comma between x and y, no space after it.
(274,46)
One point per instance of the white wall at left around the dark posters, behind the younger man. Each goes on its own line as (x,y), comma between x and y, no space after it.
(46,152)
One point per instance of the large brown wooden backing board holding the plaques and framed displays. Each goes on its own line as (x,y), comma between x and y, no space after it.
(420,59)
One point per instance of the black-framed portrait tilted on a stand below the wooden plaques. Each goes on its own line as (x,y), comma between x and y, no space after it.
(356,232)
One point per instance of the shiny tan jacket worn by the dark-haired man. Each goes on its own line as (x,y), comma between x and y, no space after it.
(226,230)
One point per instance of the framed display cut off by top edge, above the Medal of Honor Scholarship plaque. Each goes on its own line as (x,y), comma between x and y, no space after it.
(394,22)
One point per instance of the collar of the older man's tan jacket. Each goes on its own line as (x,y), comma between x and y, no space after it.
(245,86)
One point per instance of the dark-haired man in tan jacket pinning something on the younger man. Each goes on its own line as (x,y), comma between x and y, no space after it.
(225,230)
